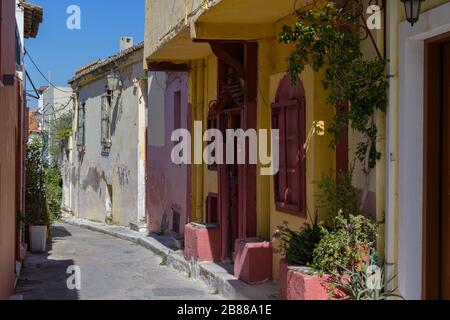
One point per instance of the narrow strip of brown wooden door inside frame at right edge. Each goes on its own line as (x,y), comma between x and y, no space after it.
(445,176)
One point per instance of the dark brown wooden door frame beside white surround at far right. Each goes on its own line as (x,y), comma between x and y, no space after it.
(432,167)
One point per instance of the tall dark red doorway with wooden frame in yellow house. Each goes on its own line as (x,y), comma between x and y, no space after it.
(235,108)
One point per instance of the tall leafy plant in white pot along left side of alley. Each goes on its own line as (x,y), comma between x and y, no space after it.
(36,213)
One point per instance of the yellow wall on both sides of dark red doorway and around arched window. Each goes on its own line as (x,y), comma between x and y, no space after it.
(320,159)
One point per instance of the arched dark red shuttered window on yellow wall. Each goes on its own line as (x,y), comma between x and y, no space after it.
(288,115)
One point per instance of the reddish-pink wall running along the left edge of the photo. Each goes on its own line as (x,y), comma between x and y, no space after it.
(9,126)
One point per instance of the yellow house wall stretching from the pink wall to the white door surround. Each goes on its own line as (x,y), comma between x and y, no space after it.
(320,159)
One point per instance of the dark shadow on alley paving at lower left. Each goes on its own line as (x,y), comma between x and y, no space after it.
(46,279)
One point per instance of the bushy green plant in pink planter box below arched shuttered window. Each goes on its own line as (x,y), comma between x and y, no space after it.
(317,258)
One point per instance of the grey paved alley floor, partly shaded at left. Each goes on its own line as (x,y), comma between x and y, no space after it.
(110,268)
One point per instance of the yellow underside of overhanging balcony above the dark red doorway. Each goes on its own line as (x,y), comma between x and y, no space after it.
(226,20)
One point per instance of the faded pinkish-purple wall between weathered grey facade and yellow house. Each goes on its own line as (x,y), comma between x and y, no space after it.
(169,184)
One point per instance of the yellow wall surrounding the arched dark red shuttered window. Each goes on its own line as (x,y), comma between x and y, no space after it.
(320,158)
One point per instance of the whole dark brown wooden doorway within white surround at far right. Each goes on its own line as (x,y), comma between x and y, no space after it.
(436,258)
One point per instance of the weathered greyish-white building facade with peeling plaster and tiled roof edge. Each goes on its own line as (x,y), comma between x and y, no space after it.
(106,165)
